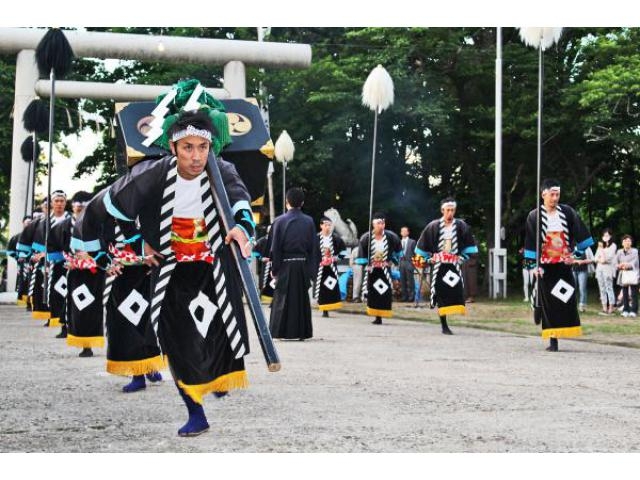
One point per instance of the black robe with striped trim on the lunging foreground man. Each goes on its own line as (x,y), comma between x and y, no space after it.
(196,307)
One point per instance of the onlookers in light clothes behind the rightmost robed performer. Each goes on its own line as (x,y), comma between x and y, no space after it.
(616,271)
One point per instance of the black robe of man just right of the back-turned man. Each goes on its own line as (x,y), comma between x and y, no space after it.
(326,290)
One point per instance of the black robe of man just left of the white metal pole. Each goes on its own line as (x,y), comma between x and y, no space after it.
(447,283)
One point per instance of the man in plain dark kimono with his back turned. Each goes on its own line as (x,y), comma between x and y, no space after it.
(294,259)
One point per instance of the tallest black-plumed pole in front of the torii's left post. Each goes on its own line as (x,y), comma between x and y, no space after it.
(53,56)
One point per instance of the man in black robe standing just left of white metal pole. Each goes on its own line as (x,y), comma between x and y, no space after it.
(446,243)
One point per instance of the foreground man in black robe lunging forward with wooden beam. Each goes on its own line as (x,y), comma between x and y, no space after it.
(196,304)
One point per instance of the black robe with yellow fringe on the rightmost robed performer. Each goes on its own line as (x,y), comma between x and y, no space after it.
(558,301)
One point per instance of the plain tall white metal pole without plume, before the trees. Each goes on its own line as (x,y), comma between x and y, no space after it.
(498,165)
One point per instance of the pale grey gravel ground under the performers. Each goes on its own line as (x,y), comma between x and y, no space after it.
(355,387)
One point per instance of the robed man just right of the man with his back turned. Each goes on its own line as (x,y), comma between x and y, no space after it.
(332,247)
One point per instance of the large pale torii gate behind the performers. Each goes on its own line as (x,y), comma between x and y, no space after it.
(233,54)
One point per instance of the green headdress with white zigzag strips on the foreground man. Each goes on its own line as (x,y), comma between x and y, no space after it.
(188,95)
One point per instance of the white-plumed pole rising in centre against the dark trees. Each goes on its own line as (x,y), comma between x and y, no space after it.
(377,94)
